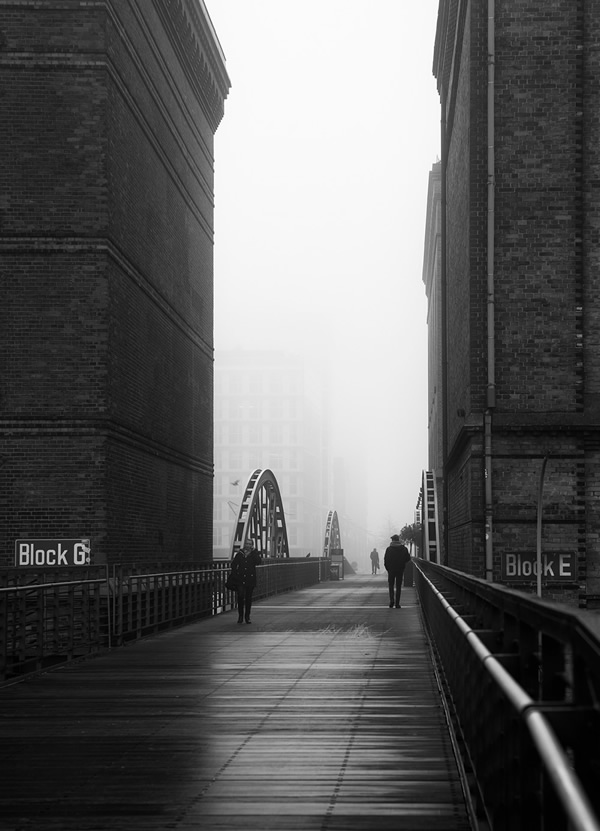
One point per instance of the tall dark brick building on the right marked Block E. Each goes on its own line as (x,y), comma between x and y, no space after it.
(520,323)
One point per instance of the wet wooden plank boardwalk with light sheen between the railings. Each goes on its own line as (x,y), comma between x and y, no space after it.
(321,714)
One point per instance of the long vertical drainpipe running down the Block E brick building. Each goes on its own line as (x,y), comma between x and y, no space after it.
(491,355)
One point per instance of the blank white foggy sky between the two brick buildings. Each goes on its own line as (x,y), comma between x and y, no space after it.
(322,162)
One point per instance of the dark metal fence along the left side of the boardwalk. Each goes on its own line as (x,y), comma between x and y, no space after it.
(53,616)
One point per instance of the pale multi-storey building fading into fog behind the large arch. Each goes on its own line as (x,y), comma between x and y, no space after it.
(269,414)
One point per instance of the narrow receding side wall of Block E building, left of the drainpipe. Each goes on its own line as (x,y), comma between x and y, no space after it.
(465,289)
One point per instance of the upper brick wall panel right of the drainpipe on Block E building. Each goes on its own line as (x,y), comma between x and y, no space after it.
(538,271)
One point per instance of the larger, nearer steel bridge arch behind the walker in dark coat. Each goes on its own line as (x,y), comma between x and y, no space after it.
(261,520)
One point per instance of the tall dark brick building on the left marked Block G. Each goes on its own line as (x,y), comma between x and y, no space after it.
(109,114)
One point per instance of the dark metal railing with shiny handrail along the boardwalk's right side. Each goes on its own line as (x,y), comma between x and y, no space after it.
(523,678)
